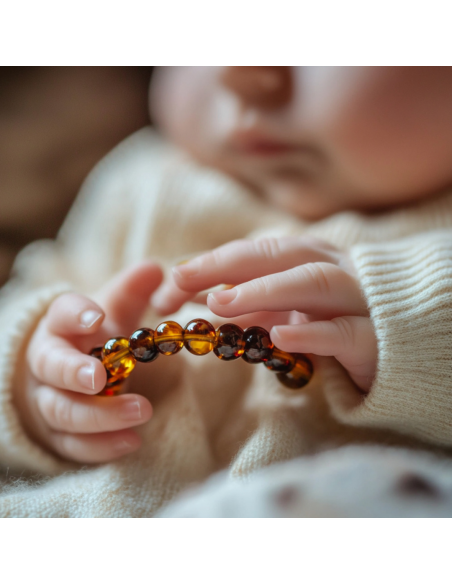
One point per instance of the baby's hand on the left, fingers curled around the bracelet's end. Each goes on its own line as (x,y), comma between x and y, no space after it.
(56,401)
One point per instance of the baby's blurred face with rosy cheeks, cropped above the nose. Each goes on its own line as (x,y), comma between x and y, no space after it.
(315,140)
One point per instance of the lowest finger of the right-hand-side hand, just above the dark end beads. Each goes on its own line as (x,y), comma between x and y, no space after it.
(351,339)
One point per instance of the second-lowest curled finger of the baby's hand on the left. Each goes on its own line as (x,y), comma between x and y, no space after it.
(69,412)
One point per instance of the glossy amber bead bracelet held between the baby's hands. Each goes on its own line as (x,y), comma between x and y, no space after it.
(119,355)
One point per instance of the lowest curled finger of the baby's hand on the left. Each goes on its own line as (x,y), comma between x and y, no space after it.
(95,448)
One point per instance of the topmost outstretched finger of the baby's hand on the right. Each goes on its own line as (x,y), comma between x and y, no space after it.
(243,260)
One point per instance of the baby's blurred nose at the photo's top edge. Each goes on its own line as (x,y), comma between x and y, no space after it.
(265,87)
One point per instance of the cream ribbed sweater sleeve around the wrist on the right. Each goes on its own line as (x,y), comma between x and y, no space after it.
(408,288)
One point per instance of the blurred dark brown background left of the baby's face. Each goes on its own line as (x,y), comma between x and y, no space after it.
(55,124)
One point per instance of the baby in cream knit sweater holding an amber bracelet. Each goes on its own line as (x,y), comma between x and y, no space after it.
(334,231)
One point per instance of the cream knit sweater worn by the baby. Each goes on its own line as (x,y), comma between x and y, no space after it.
(146,200)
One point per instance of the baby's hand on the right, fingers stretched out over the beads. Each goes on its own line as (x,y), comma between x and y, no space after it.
(300,274)
